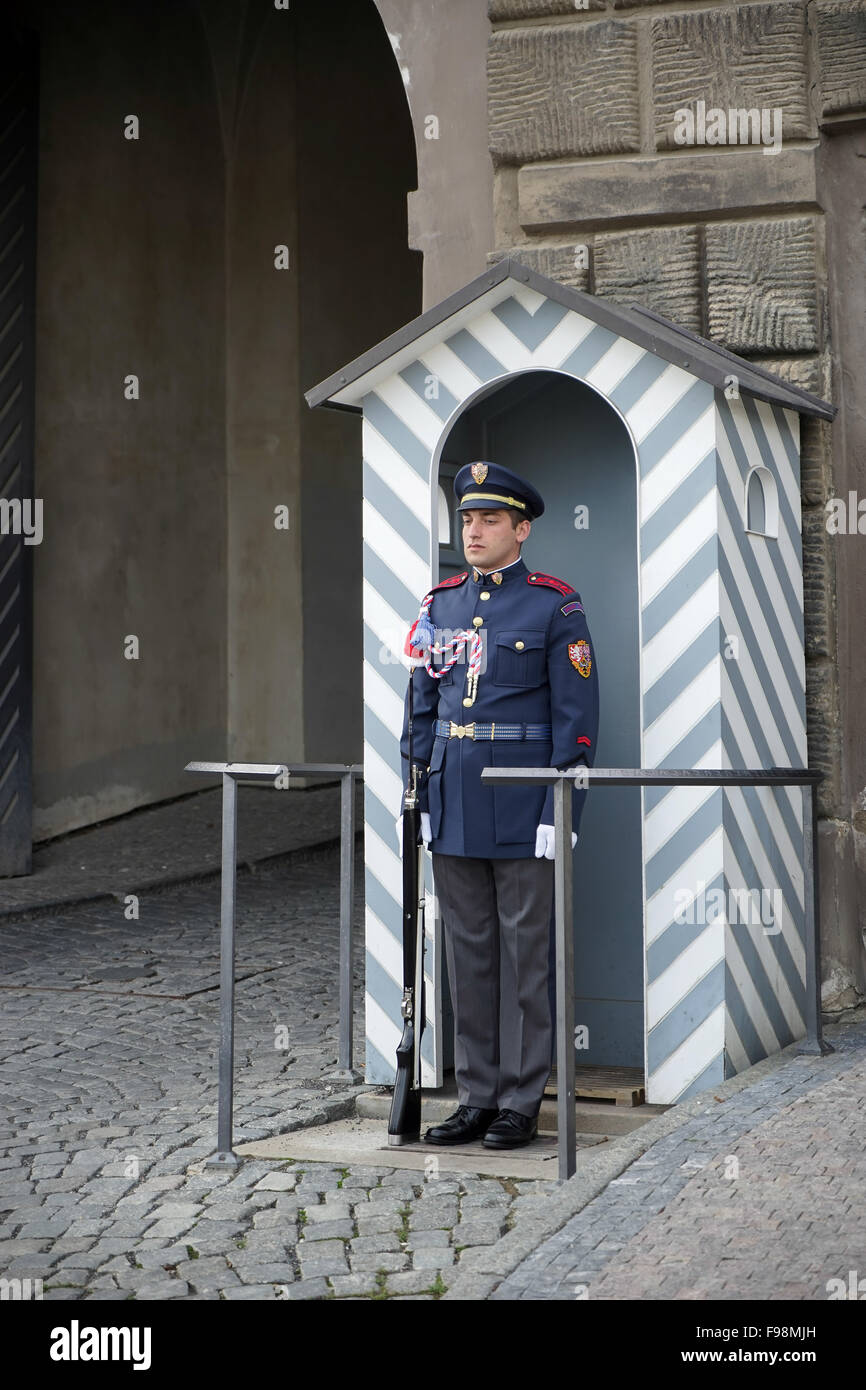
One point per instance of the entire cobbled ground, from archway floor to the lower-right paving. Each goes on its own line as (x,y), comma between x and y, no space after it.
(109,1032)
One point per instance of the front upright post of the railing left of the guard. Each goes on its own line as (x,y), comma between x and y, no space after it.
(224,1157)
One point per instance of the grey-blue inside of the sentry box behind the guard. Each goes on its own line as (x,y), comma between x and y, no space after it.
(573,447)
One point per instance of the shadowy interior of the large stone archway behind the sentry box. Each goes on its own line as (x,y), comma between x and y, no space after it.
(181,151)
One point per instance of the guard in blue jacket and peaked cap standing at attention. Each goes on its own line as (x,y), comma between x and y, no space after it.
(509,679)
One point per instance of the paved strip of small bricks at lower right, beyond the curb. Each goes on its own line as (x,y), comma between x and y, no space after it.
(761,1197)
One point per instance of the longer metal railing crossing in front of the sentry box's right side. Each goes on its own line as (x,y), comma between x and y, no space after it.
(585,778)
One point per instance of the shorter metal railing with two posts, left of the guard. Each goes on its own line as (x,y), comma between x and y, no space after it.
(270,772)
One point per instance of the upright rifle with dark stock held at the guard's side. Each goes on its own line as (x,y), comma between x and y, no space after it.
(405,1121)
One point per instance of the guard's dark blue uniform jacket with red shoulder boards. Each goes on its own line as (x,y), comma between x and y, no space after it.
(536,646)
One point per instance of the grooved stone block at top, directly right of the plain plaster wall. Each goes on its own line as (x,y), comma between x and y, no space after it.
(565,90)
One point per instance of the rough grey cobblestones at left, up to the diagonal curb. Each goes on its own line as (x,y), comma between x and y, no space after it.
(109,1086)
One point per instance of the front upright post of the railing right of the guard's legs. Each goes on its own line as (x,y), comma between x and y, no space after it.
(565,981)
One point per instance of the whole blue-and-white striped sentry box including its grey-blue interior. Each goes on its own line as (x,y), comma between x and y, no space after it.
(671,473)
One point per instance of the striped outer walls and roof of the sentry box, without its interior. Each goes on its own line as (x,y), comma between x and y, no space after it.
(722,648)
